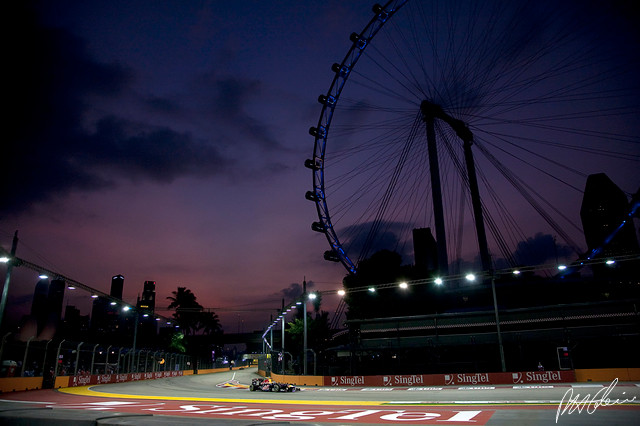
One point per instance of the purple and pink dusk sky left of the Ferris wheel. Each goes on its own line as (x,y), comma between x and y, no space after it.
(165,141)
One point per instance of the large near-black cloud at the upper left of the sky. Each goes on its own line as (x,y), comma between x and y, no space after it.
(53,84)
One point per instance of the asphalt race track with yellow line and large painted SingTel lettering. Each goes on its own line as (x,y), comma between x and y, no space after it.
(224,398)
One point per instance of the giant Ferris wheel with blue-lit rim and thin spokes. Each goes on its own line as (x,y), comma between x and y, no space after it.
(466,117)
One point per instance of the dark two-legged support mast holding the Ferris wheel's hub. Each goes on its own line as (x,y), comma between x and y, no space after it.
(430,112)
